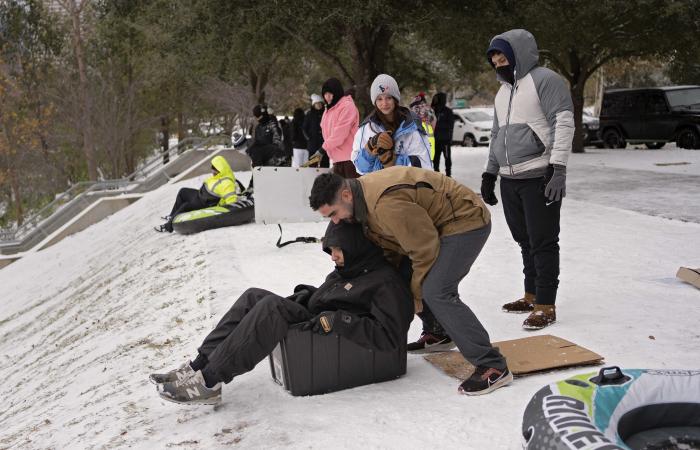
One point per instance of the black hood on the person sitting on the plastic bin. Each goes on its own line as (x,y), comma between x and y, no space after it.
(360,255)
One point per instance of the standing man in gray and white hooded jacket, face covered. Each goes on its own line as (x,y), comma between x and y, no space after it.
(531,138)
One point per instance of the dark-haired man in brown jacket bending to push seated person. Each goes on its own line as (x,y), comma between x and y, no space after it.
(441,226)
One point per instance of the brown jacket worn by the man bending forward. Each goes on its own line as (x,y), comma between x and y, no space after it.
(406,210)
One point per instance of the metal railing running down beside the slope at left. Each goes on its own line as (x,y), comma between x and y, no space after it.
(151,167)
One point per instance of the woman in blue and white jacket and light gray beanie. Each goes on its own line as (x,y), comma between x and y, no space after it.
(391,135)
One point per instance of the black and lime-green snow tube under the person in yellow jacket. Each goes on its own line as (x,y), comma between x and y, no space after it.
(243,211)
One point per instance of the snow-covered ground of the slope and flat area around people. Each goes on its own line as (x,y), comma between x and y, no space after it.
(84,322)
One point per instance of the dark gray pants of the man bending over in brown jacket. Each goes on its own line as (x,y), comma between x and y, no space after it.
(457,254)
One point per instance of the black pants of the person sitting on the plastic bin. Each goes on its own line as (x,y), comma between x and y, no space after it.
(248,332)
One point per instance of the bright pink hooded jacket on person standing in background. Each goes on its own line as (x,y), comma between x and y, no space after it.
(338,126)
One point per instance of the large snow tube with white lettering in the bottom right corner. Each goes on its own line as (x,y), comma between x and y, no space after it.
(615,410)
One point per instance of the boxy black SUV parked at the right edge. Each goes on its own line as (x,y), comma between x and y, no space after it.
(651,116)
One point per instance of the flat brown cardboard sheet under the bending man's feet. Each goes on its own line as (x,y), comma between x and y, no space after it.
(526,355)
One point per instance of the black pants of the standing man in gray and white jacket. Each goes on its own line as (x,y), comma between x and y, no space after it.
(535,227)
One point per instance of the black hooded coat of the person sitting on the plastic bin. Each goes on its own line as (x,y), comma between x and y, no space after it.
(375,303)
